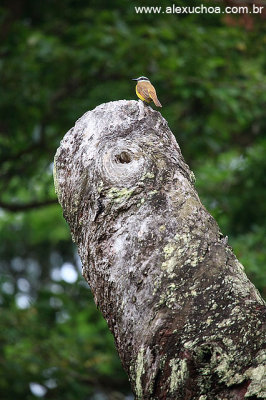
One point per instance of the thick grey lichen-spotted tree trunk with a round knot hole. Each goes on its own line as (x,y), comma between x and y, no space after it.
(187,322)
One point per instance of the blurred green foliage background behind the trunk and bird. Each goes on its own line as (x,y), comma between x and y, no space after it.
(60,59)
